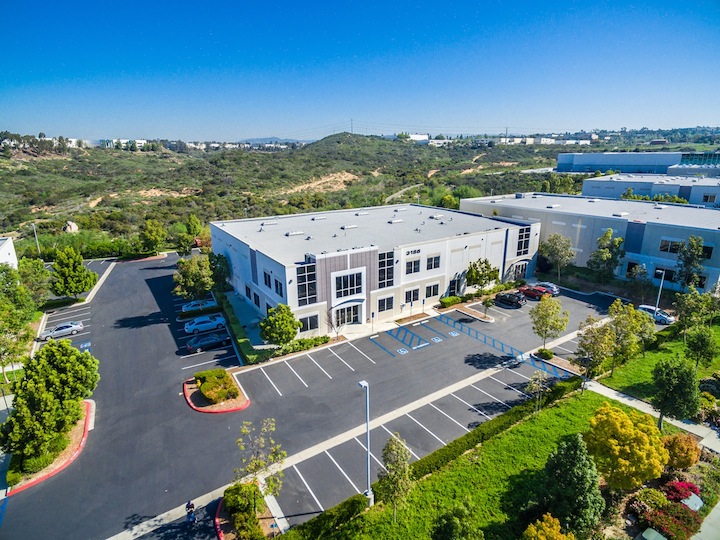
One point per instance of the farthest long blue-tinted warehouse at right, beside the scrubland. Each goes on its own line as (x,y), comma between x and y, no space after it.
(684,163)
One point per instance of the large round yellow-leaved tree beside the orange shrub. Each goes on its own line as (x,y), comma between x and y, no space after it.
(626,447)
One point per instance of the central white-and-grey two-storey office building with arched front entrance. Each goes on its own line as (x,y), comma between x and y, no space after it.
(365,265)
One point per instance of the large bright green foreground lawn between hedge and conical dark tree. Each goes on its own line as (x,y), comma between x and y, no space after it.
(498,480)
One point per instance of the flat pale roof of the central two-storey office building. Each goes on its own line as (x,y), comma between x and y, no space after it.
(289,238)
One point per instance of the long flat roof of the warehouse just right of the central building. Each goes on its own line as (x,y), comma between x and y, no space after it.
(681,215)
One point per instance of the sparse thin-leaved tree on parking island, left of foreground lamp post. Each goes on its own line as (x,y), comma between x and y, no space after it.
(261,459)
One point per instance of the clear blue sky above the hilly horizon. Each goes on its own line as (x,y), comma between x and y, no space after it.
(228,70)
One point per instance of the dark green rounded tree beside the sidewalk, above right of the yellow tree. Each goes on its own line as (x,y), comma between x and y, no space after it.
(676,389)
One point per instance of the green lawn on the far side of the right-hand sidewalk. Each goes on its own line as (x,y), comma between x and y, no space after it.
(635,378)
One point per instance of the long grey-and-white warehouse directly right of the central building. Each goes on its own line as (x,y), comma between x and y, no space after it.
(652,232)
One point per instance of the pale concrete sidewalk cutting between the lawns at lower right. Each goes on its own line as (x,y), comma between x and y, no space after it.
(710,529)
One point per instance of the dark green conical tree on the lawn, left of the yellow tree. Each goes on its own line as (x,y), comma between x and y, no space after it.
(572,486)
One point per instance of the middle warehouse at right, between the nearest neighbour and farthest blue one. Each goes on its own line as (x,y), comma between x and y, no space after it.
(703,191)
